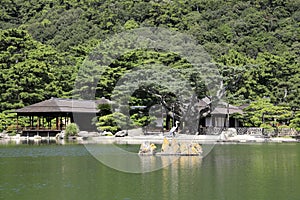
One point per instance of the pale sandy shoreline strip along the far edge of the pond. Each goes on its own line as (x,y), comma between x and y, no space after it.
(156,139)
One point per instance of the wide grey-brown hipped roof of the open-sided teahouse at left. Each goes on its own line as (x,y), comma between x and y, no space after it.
(58,105)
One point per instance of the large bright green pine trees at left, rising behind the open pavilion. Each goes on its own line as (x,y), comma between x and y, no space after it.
(30,71)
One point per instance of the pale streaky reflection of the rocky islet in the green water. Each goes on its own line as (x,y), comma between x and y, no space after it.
(171,181)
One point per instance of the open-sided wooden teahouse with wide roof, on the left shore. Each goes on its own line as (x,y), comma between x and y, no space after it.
(49,117)
